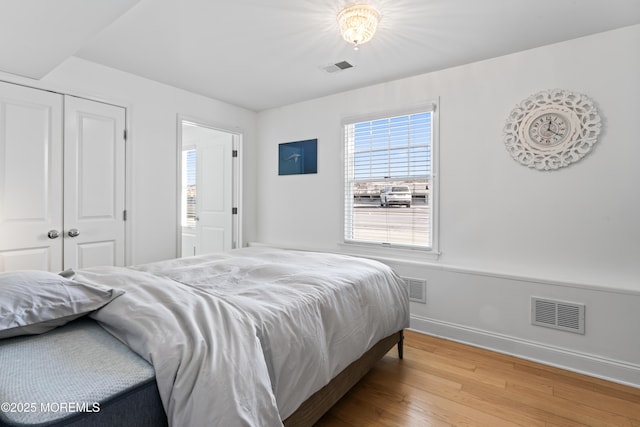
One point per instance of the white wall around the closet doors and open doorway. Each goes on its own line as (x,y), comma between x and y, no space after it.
(152,110)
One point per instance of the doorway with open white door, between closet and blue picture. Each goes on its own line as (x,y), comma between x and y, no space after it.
(208,189)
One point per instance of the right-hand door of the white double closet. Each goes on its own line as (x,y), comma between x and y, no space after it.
(94,177)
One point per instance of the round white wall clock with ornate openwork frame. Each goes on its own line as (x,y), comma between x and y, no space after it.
(552,129)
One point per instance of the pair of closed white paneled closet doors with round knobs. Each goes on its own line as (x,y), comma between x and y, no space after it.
(62,181)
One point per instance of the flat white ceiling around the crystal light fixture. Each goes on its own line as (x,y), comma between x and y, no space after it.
(260,54)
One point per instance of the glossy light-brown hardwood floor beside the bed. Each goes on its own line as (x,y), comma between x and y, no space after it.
(442,383)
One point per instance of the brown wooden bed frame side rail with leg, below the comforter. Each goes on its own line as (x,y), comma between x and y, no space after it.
(312,409)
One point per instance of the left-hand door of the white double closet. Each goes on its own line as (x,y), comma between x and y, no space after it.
(30,179)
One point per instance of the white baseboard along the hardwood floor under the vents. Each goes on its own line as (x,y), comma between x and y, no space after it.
(607,369)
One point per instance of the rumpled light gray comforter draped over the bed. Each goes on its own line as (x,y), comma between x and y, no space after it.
(242,338)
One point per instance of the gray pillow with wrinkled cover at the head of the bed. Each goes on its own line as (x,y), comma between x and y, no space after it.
(33,302)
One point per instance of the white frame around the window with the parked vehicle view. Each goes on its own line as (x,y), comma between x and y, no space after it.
(396,249)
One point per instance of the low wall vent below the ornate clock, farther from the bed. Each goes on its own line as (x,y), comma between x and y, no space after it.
(566,316)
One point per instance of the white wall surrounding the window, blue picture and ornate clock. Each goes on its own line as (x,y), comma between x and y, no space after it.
(506,232)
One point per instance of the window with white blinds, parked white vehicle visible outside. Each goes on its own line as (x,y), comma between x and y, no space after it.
(389,182)
